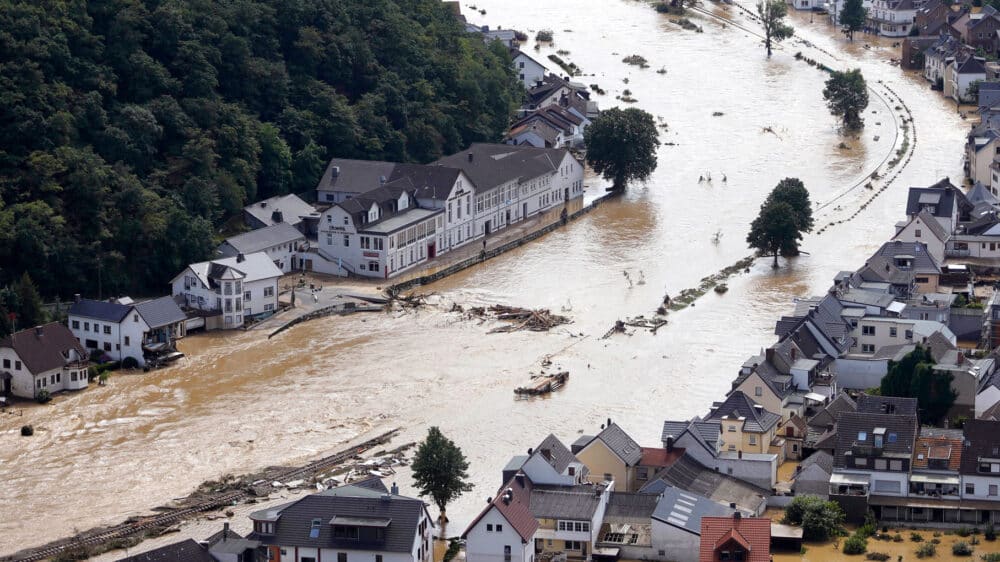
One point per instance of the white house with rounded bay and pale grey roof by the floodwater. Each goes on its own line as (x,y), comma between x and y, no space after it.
(231,289)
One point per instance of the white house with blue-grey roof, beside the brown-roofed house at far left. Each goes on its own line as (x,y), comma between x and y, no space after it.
(120,329)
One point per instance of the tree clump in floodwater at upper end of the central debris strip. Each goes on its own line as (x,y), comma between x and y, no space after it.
(784,216)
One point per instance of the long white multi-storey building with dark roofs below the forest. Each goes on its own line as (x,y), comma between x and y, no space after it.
(417,212)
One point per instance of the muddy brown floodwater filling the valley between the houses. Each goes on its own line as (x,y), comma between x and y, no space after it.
(240,401)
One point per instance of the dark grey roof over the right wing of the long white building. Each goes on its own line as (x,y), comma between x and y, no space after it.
(495,164)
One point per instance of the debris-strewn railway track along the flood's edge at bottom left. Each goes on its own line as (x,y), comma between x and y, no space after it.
(124,530)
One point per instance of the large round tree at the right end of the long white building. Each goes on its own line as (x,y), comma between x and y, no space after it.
(621,145)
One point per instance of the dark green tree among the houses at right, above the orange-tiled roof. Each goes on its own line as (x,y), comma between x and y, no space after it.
(914,376)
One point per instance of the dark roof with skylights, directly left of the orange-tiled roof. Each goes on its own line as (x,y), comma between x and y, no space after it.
(851,426)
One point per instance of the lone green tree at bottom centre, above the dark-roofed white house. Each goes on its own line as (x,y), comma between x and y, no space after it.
(440,469)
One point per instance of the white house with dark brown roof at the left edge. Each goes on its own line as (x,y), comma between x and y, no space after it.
(45,358)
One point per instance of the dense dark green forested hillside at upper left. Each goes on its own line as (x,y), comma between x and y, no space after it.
(130,130)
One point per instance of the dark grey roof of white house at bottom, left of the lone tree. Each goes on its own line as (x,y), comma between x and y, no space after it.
(294,520)
